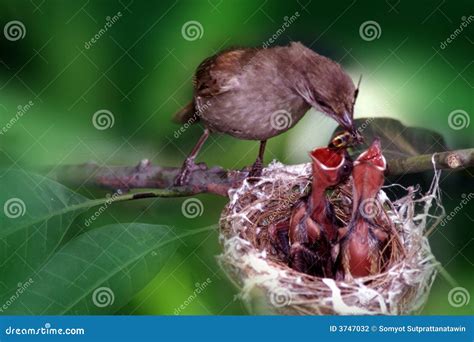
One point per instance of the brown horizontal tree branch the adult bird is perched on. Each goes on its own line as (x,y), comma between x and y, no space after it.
(217,180)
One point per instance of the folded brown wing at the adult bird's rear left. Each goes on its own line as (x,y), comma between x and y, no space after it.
(219,74)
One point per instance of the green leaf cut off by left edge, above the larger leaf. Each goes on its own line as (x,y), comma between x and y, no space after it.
(35,215)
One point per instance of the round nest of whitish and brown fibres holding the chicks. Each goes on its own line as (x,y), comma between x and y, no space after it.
(268,285)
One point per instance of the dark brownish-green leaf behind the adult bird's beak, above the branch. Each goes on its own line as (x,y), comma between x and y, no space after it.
(398,140)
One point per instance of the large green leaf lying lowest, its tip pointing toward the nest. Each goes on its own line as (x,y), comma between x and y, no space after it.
(98,272)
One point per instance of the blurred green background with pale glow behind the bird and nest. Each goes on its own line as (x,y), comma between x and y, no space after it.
(141,70)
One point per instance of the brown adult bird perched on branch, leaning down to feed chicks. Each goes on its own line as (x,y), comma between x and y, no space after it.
(256,94)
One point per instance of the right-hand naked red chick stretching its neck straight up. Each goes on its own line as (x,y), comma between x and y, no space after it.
(360,247)
